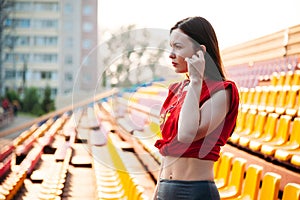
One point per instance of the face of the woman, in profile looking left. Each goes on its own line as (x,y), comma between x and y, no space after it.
(181,48)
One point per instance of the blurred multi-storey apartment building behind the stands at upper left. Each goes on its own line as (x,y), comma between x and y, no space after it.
(50,42)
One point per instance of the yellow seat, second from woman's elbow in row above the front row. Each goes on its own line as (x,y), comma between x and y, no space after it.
(258,129)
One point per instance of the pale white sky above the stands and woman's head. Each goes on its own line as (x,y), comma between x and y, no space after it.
(234,21)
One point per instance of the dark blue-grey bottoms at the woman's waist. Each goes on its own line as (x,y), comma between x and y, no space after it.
(187,190)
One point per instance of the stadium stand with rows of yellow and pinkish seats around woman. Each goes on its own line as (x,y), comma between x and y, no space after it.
(102,148)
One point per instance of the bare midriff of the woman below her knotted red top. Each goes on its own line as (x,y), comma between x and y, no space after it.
(183,168)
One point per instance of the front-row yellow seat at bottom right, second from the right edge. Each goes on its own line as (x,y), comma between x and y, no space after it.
(270,186)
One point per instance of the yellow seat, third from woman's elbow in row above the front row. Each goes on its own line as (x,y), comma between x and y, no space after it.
(268,133)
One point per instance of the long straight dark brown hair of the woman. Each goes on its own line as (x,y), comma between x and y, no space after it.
(201,31)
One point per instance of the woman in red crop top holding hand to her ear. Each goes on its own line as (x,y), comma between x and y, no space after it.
(198,115)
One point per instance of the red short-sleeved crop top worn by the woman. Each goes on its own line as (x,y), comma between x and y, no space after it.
(207,148)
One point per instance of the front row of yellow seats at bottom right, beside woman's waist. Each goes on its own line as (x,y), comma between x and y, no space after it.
(236,181)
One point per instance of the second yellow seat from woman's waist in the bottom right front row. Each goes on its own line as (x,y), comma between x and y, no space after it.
(234,188)
